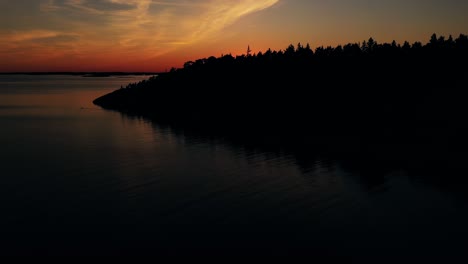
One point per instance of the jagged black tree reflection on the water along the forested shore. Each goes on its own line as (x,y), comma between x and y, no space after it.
(370,174)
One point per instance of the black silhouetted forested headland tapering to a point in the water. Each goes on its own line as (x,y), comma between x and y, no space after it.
(391,101)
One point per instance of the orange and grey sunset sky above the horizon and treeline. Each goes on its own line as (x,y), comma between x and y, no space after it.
(151,35)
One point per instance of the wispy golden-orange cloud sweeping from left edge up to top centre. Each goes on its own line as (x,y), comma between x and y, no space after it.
(135,29)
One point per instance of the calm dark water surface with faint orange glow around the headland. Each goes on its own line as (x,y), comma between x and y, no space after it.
(76,179)
